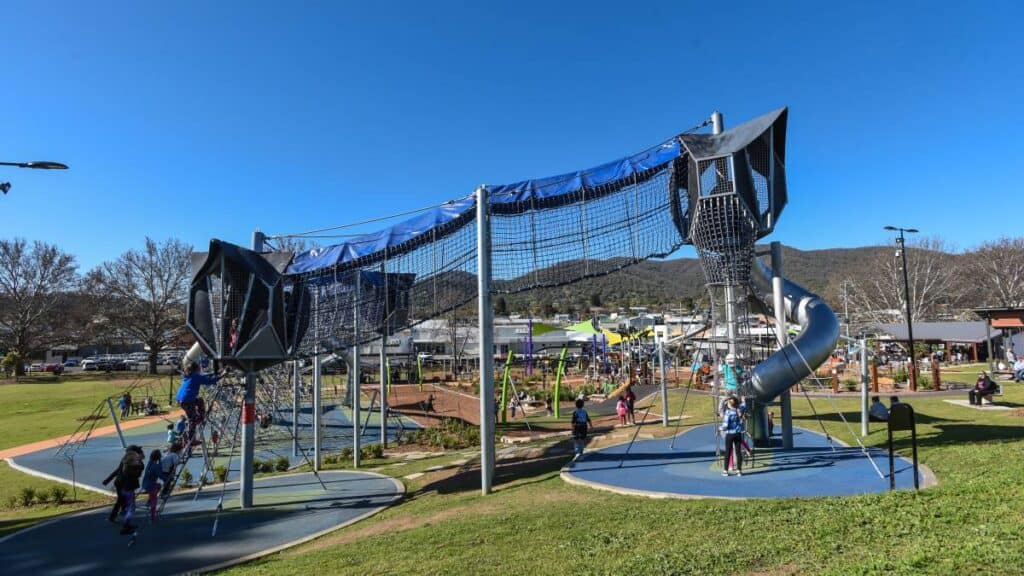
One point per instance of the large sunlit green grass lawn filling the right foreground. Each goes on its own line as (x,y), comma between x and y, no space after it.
(536,524)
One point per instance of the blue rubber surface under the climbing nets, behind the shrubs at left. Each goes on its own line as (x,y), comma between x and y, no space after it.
(100,456)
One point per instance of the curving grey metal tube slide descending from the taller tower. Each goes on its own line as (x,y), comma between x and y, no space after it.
(820,333)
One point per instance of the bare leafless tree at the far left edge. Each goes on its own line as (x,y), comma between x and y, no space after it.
(35,283)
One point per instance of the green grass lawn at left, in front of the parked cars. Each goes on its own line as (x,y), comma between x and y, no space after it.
(46,407)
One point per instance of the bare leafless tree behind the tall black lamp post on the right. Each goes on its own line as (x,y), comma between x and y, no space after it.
(935,279)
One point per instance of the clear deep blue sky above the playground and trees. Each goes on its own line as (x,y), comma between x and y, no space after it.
(209,119)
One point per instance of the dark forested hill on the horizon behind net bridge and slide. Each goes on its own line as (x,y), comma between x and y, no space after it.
(680,282)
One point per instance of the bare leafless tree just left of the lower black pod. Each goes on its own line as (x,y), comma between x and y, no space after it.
(145,292)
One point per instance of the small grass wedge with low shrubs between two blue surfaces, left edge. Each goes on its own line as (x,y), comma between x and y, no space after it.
(15,517)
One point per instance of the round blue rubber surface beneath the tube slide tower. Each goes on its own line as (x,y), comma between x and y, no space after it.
(810,469)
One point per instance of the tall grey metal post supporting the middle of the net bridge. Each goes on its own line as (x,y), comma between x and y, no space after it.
(487,339)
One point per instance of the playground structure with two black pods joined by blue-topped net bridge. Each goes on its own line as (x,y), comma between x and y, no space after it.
(254,309)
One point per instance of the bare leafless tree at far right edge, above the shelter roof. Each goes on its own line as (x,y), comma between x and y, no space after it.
(996,272)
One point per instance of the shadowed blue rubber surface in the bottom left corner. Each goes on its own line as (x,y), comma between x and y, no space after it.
(287,509)
